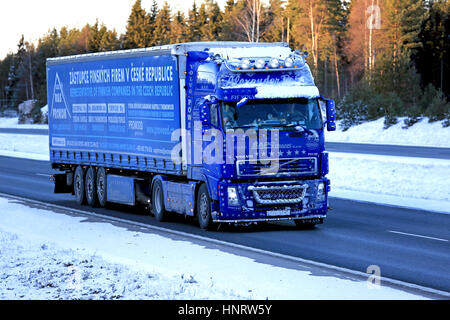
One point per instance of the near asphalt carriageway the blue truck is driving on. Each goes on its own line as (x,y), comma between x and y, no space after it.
(408,245)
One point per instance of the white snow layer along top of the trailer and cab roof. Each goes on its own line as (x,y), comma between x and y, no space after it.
(227,49)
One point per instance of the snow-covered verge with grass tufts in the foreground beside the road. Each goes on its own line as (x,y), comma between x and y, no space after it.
(49,255)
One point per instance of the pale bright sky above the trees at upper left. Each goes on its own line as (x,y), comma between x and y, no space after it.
(34,18)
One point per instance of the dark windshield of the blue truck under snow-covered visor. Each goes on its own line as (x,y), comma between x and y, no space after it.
(275,113)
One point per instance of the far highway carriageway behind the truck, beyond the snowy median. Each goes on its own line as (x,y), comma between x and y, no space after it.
(379,149)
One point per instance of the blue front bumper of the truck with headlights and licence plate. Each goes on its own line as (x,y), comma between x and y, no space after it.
(272,201)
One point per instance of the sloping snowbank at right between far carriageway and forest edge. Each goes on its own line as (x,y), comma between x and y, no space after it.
(422,133)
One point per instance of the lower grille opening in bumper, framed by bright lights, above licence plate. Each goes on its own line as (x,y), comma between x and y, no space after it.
(278,194)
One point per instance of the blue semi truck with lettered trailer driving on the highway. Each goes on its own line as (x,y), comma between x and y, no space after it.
(227,132)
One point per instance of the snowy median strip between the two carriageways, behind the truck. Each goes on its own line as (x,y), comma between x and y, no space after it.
(403,181)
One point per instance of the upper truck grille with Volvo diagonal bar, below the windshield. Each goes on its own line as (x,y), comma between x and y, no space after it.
(287,166)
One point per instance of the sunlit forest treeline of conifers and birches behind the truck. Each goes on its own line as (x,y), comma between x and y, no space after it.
(376,58)
